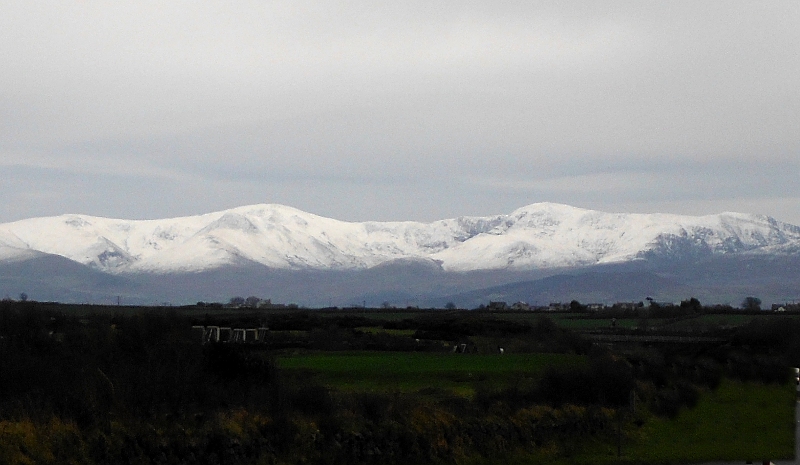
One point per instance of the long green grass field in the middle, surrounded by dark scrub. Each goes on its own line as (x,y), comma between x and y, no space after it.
(415,371)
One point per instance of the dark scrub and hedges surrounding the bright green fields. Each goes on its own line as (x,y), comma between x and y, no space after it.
(139,387)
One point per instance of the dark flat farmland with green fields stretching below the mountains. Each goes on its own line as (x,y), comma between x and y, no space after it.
(414,386)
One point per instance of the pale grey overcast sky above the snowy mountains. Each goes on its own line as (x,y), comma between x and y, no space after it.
(413,110)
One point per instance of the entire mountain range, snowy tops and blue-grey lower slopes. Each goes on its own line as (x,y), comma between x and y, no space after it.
(282,253)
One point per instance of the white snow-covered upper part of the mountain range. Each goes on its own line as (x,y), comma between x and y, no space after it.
(536,236)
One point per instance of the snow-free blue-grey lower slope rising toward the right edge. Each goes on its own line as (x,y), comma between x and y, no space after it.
(722,279)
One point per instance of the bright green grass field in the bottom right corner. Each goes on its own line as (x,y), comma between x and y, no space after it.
(737,422)
